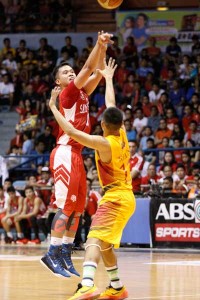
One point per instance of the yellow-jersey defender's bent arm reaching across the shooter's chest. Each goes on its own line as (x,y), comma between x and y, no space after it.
(92,141)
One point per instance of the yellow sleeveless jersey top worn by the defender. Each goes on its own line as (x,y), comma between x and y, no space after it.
(117,172)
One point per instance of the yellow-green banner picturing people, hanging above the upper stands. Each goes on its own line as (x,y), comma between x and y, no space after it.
(162,25)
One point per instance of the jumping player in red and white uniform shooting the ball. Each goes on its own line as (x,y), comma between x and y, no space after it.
(66,160)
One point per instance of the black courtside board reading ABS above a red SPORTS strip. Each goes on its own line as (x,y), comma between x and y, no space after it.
(175,223)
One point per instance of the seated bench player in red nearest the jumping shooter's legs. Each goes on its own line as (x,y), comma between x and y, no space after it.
(33,208)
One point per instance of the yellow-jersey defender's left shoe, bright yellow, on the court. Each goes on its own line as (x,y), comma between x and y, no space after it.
(85,292)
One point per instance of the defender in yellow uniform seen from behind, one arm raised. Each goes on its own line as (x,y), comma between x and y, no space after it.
(118,202)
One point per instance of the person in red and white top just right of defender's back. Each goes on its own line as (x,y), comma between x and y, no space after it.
(136,165)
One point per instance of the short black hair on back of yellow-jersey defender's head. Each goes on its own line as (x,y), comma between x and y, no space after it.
(113,118)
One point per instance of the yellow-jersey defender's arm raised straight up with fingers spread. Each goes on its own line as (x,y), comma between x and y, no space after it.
(108,73)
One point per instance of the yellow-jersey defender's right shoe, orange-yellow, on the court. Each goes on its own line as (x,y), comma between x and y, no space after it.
(111,293)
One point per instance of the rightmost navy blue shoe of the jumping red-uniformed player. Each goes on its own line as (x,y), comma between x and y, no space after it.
(66,252)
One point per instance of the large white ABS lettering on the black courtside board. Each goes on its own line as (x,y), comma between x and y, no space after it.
(179,211)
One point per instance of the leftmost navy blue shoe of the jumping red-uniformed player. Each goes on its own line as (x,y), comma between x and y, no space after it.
(52,260)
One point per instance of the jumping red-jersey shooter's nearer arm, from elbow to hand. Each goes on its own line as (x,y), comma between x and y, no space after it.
(93,60)
